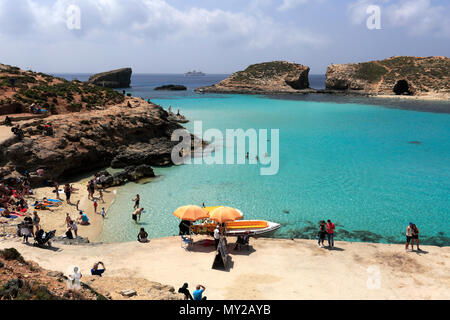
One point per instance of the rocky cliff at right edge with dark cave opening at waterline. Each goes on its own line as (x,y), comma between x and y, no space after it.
(396,75)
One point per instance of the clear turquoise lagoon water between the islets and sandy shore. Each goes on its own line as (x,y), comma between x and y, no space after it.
(350,163)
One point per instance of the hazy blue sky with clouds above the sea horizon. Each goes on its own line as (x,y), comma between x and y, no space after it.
(221,37)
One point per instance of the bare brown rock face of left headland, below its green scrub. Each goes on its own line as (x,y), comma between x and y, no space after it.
(79,142)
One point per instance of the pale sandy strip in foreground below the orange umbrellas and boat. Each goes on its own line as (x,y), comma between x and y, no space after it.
(275,269)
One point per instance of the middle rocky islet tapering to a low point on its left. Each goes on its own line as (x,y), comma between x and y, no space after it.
(268,77)
